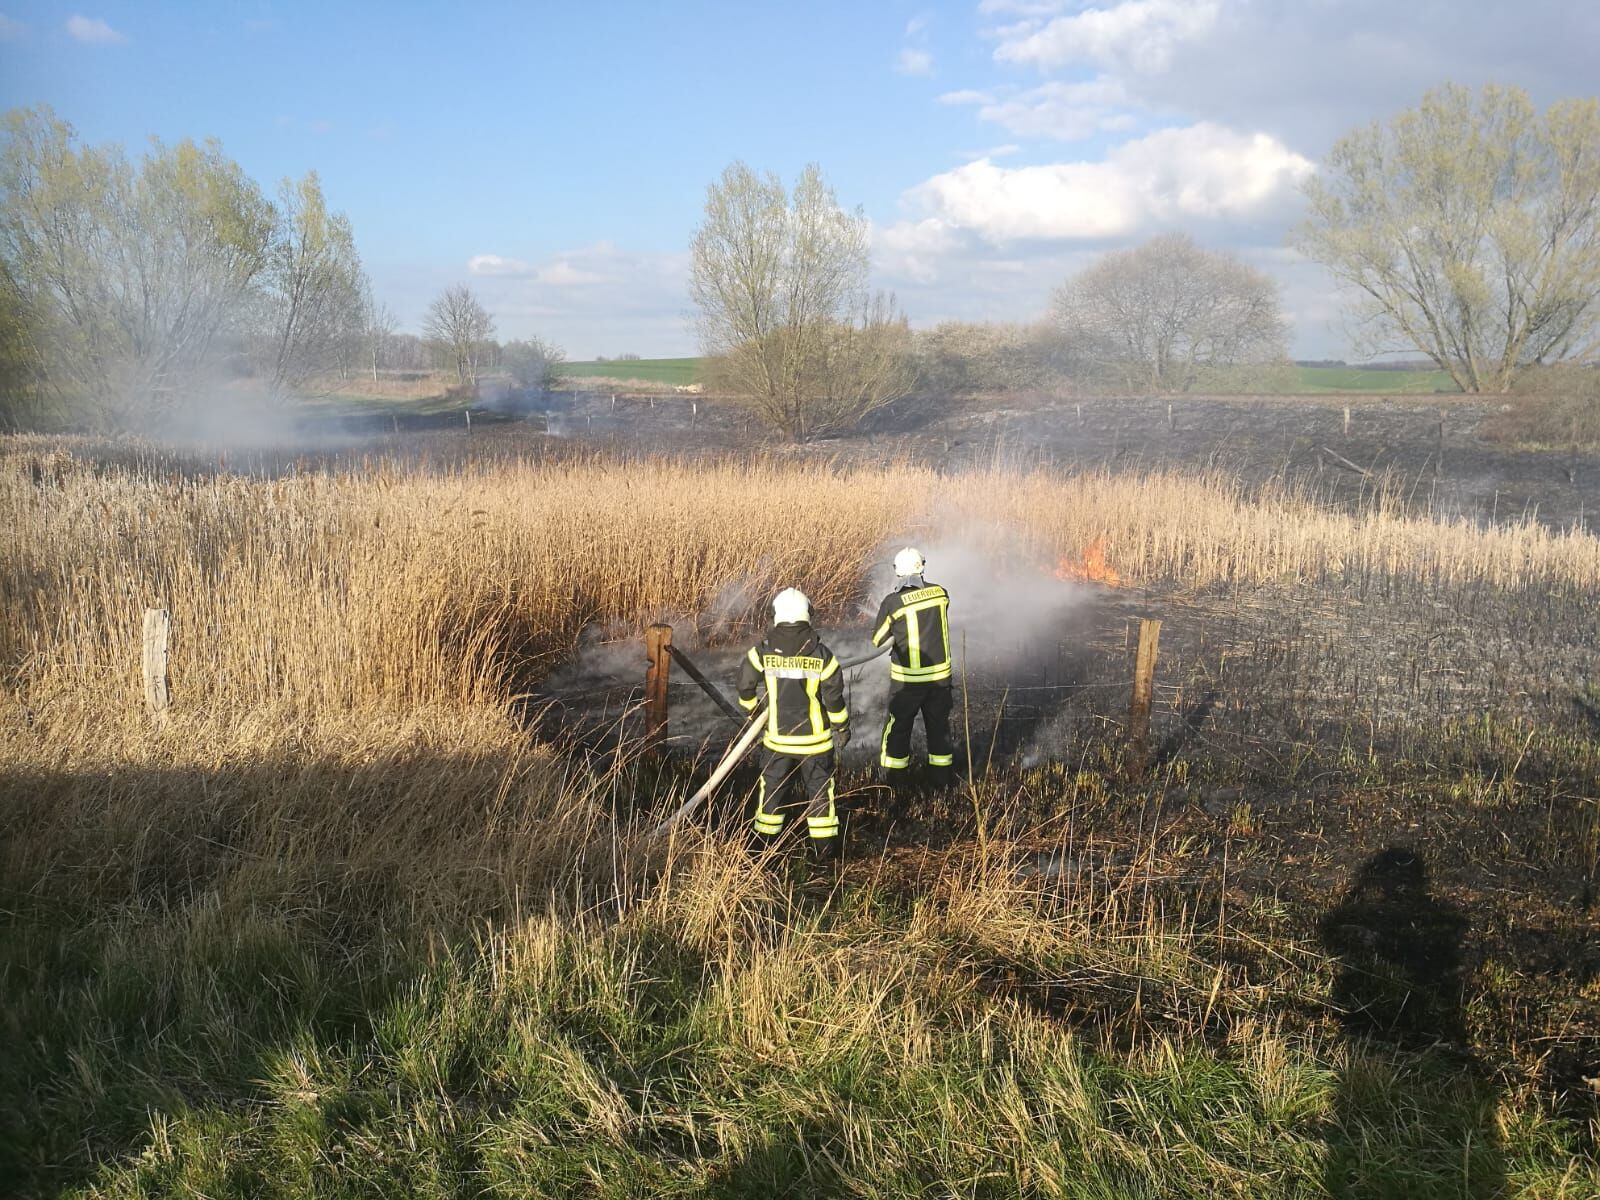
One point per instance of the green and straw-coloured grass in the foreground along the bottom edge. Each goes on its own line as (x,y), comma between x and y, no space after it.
(295,1028)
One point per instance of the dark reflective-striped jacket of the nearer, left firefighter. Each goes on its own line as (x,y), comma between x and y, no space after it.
(804,687)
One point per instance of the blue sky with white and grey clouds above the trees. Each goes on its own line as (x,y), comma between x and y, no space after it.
(556,156)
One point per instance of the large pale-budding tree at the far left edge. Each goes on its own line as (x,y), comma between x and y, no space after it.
(126,276)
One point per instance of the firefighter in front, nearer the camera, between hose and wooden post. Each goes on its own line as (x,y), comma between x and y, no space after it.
(806,722)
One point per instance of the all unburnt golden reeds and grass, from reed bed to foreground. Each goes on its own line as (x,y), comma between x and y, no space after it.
(338,927)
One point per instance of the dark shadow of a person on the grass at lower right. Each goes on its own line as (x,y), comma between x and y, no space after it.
(1415,1113)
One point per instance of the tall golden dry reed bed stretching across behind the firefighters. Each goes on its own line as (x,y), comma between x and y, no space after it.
(334,593)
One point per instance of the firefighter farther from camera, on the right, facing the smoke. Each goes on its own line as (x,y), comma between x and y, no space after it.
(918,617)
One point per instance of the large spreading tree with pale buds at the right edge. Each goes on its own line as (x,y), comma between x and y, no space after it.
(1470,231)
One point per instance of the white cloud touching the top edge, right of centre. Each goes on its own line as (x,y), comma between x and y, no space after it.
(1138,36)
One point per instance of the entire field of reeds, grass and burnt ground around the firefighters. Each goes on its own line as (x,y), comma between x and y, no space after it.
(374,906)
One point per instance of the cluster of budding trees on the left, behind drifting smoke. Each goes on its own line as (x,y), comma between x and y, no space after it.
(132,287)
